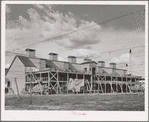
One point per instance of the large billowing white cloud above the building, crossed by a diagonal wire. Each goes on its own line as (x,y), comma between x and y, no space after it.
(53,23)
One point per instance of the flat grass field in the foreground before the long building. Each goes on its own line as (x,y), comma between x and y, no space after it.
(87,102)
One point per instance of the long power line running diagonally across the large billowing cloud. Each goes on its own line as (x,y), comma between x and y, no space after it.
(79,29)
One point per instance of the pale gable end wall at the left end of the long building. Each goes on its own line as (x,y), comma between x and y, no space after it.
(17,70)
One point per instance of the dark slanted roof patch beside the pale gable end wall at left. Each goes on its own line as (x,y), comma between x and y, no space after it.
(26,61)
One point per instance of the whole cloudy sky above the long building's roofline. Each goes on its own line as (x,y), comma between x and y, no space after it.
(32,23)
